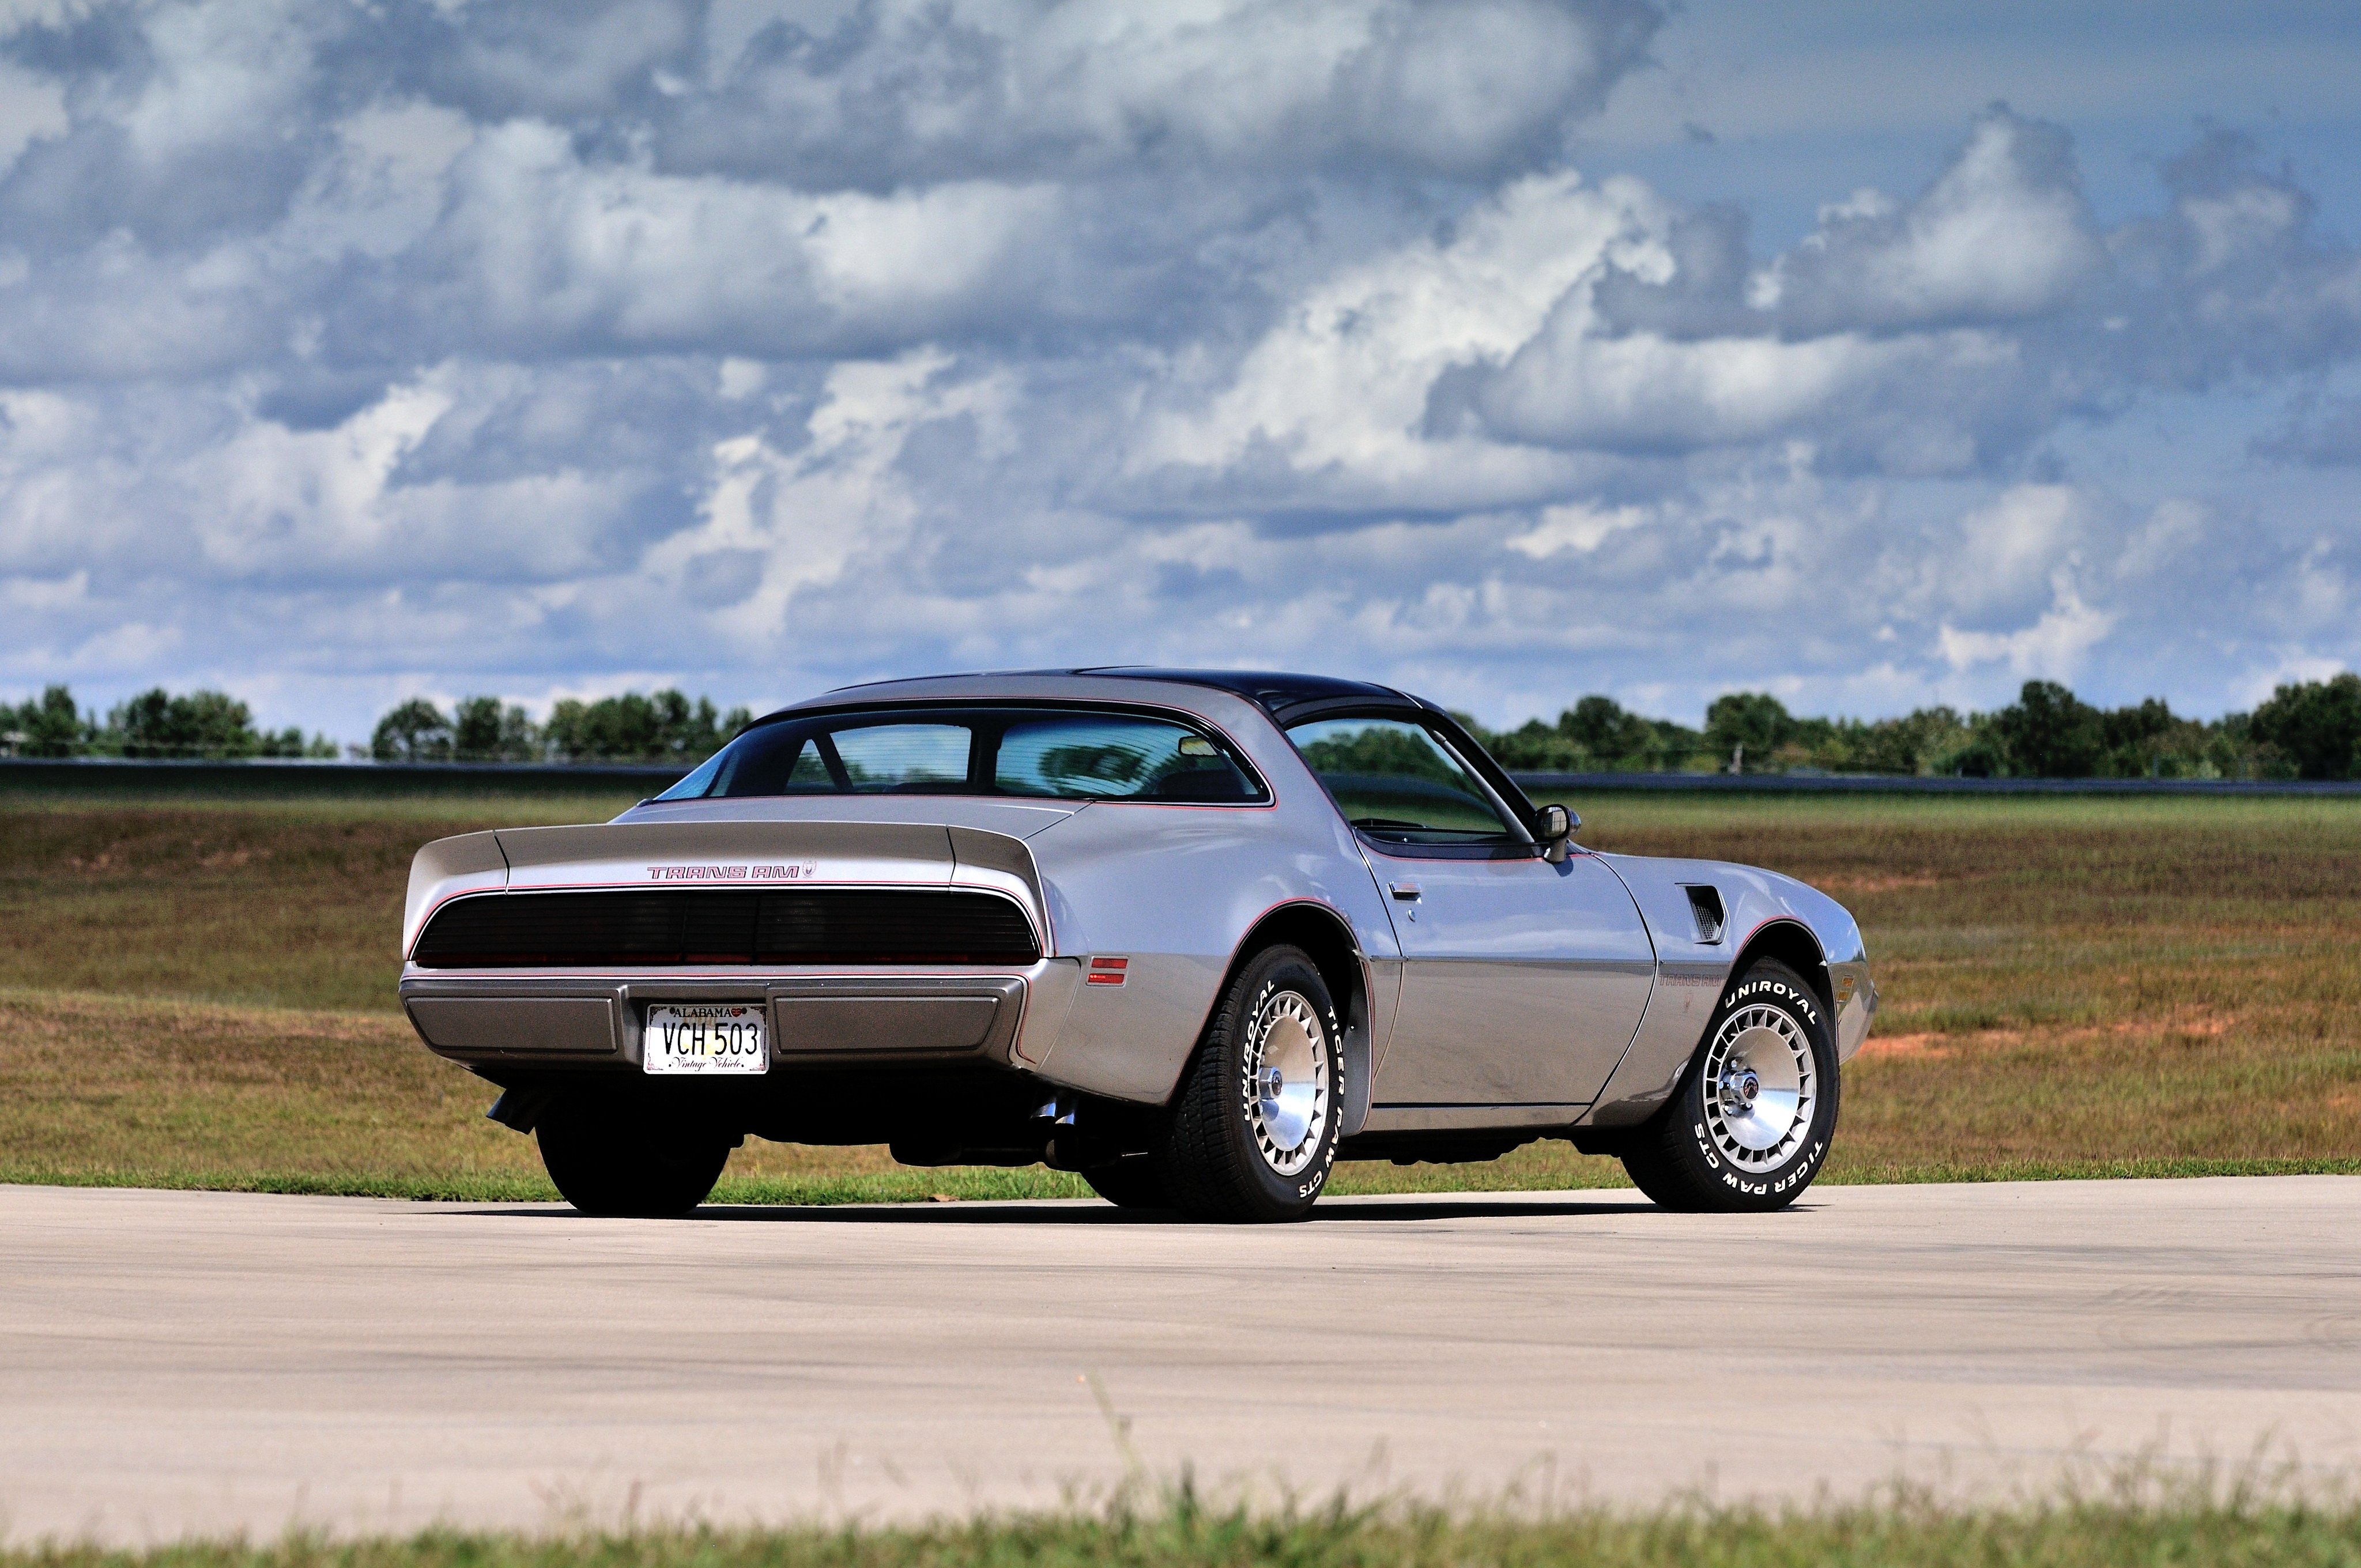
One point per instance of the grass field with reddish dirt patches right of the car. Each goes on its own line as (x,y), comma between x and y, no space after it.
(2076,981)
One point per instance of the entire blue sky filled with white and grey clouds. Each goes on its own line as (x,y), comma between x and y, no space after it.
(1498,348)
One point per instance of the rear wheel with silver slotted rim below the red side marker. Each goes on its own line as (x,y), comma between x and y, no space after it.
(1255,1128)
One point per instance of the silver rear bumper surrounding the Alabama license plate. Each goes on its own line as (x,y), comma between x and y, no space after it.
(594,1021)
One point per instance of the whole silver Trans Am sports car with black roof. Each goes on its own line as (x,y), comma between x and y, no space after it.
(1191,934)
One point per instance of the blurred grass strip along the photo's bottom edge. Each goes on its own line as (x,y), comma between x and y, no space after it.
(2176,1524)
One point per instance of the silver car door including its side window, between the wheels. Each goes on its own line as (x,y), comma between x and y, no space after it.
(1522,979)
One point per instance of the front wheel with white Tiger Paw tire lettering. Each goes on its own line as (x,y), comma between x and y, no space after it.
(1753,1121)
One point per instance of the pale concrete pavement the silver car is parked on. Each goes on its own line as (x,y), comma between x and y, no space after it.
(200,1361)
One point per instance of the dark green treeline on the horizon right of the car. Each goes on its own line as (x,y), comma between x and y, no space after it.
(2306,731)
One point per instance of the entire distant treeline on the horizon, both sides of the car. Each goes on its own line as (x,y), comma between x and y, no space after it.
(2306,731)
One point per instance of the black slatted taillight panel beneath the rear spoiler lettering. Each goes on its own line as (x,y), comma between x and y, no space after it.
(599,929)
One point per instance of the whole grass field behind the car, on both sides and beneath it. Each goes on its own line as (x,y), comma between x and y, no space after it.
(204,995)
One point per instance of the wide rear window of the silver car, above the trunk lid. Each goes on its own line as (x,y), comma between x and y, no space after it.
(1049,754)
